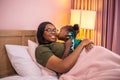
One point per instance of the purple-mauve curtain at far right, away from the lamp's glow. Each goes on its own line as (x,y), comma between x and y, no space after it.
(111,25)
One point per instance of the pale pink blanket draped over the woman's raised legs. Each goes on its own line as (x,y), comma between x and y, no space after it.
(97,64)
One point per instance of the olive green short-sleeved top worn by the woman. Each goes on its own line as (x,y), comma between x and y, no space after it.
(44,52)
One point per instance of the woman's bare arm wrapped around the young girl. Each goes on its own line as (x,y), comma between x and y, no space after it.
(64,65)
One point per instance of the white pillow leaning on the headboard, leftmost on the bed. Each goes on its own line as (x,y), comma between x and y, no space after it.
(21,61)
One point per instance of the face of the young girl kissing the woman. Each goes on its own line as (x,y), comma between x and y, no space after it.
(63,34)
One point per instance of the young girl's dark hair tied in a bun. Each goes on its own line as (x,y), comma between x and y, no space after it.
(74,28)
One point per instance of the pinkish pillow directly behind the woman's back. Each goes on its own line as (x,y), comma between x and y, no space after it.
(31,48)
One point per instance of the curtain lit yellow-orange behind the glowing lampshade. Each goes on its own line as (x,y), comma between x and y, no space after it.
(96,5)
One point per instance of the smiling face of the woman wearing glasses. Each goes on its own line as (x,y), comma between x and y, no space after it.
(50,33)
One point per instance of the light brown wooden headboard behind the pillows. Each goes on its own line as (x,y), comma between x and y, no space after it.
(19,37)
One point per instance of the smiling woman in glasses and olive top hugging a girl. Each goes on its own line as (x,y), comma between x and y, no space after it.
(49,52)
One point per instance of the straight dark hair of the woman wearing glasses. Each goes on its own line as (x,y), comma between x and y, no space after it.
(40,32)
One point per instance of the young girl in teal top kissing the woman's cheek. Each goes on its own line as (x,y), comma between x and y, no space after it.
(69,32)
